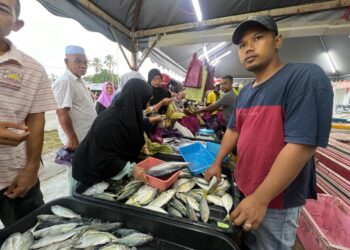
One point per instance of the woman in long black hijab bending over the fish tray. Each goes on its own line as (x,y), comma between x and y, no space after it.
(115,138)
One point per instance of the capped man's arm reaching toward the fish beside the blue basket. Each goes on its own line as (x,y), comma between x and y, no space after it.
(228,142)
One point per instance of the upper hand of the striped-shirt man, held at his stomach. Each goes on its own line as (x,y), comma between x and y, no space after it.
(12,138)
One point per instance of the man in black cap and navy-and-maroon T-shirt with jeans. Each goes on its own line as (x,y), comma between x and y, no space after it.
(277,123)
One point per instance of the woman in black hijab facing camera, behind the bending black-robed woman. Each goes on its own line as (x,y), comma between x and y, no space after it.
(161,97)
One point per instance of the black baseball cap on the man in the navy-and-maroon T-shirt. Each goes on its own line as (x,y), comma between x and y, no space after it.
(265,21)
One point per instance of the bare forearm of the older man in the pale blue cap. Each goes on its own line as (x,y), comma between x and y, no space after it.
(67,126)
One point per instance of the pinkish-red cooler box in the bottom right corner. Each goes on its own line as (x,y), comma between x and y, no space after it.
(325,224)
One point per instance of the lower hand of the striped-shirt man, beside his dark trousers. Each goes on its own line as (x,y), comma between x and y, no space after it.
(24,181)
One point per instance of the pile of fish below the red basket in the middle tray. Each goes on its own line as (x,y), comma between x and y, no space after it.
(188,197)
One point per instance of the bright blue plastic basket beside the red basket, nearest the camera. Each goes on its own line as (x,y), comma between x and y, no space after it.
(198,156)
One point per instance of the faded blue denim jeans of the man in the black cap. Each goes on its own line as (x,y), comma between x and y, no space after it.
(277,231)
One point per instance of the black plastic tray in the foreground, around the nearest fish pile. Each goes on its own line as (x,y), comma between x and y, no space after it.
(168,234)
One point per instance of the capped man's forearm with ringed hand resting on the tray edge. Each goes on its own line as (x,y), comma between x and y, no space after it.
(285,169)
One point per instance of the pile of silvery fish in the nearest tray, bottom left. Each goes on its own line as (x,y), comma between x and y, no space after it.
(64,229)
